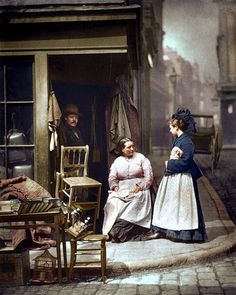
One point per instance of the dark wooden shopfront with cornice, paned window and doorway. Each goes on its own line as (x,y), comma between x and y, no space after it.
(77,49)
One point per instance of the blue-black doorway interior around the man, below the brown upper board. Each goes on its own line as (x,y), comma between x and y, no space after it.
(86,97)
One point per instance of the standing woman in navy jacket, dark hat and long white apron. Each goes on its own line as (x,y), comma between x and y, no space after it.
(177,210)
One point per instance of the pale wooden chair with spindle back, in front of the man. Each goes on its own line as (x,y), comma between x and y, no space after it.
(73,182)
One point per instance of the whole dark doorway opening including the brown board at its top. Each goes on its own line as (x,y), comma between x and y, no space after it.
(87,81)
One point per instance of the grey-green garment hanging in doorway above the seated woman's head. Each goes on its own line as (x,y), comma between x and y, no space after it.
(119,123)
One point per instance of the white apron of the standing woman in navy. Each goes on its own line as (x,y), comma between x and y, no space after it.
(175,206)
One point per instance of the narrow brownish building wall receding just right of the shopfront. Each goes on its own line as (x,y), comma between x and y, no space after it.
(152,35)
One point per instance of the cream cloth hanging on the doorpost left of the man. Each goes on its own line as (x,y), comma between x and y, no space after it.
(54,115)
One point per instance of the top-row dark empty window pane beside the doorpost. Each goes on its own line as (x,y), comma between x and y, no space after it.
(19,84)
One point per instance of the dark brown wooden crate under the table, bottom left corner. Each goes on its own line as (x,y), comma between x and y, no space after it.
(14,268)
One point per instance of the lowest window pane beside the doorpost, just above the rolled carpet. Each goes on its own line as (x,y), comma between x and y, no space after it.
(20,162)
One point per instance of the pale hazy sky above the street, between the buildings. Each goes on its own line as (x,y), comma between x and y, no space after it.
(191,28)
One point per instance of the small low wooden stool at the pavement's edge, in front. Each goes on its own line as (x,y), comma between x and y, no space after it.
(91,244)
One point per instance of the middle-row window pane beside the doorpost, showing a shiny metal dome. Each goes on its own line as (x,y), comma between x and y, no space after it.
(20,124)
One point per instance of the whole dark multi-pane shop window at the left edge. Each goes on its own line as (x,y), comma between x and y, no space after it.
(16,116)
